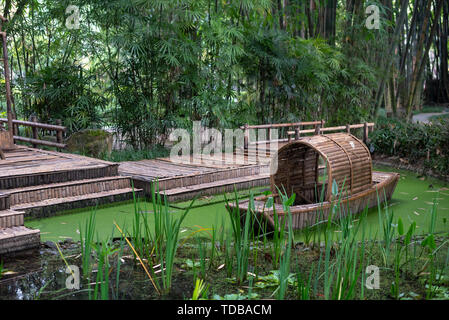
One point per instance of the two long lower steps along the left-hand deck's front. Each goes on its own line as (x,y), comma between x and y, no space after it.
(45,200)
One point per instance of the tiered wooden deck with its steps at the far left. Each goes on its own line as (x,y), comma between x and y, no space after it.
(39,183)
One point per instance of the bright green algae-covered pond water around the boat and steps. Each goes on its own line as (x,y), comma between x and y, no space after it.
(412,201)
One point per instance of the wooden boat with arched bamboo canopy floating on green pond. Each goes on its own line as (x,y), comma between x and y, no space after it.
(322,171)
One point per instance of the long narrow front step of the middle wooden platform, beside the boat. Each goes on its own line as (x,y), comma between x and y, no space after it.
(216,187)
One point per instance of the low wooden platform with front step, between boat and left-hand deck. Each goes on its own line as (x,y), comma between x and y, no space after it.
(184,181)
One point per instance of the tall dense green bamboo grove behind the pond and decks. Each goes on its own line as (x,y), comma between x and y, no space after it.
(146,66)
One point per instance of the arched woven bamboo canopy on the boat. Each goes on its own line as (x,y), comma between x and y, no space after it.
(298,168)
